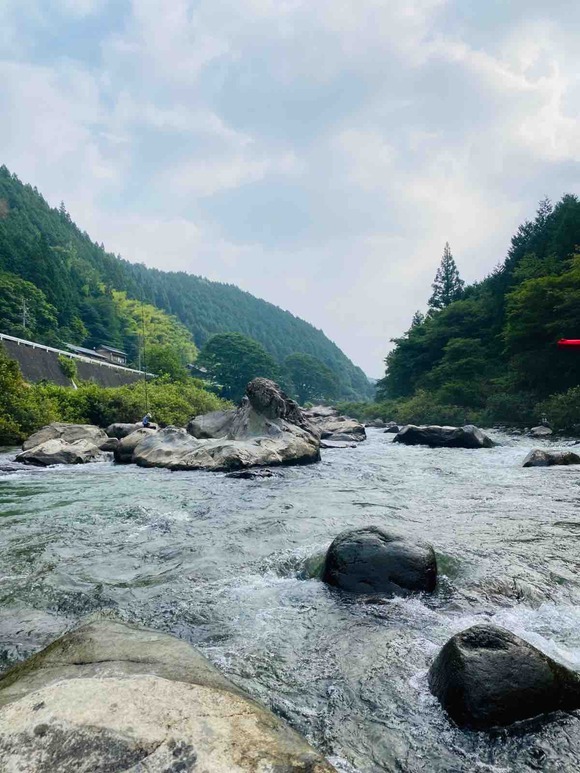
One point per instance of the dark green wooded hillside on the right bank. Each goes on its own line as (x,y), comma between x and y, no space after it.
(493,350)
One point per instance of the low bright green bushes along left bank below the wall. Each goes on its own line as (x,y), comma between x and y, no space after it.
(25,408)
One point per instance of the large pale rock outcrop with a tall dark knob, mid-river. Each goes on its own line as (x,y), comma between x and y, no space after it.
(267,429)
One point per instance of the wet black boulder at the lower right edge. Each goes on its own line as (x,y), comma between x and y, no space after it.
(486,676)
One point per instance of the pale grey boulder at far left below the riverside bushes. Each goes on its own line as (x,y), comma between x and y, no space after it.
(61,443)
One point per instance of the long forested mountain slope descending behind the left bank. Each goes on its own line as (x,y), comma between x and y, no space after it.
(67,288)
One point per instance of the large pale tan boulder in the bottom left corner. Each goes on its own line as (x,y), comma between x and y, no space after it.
(113,697)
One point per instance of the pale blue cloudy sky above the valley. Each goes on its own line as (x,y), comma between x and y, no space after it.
(317,153)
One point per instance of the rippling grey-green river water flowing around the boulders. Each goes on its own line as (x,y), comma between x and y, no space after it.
(224,563)
